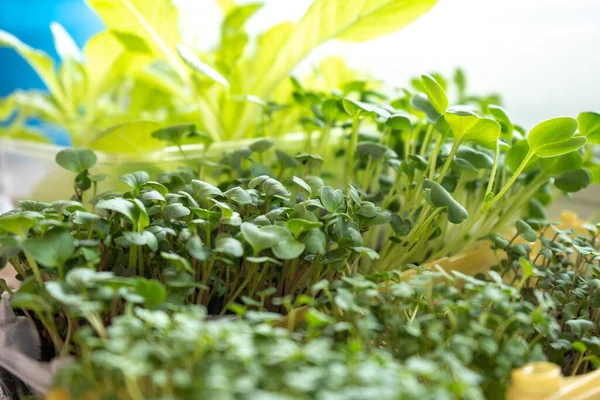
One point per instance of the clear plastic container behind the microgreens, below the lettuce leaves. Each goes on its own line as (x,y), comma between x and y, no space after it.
(28,169)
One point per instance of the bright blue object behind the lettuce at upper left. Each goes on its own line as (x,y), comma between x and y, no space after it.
(29,20)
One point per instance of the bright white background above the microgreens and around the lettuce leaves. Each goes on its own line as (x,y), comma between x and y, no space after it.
(543,56)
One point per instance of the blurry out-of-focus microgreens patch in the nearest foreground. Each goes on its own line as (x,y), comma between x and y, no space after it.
(151,354)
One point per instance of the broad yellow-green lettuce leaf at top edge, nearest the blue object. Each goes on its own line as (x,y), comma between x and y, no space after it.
(156,21)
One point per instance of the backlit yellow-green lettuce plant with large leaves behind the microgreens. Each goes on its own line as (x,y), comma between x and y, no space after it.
(140,69)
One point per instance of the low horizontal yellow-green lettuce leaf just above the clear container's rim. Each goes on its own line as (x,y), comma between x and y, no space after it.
(128,137)
